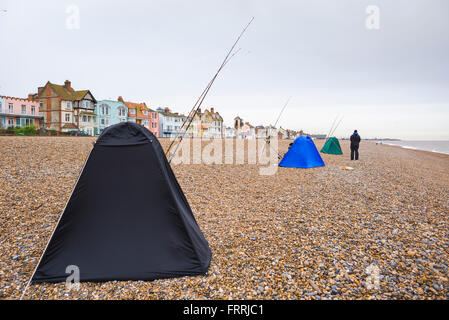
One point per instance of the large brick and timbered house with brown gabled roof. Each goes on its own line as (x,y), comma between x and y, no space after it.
(65,109)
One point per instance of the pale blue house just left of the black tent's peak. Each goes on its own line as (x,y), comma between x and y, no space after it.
(109,112)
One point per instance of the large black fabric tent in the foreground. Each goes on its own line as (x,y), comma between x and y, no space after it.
(127,218)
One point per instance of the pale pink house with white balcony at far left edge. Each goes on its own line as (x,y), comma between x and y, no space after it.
(19,112)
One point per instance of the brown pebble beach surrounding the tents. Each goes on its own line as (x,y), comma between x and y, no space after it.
(379,231)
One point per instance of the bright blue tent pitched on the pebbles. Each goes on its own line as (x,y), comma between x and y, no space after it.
(302,154)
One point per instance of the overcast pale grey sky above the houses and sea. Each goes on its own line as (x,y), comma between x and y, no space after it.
(386,82)
